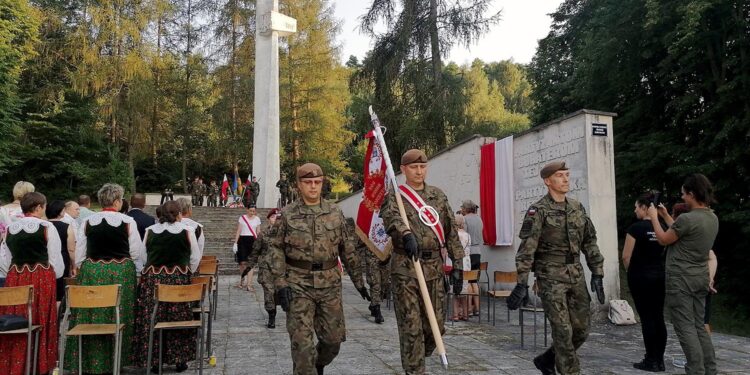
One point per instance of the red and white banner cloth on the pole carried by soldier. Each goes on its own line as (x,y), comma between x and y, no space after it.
(369,224)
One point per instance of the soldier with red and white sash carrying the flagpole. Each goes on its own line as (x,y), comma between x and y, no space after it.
(420,242)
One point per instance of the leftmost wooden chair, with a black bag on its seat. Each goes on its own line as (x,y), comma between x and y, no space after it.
(23,295)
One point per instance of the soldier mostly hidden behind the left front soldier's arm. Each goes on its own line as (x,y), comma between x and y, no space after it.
(261,256)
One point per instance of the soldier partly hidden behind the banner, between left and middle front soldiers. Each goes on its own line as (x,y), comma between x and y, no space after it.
(377,271)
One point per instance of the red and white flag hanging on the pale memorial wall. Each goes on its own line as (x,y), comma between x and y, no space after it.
(496,192)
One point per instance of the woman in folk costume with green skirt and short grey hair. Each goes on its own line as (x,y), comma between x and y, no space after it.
(109,251)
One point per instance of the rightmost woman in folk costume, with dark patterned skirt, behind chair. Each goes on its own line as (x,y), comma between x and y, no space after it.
(172,255)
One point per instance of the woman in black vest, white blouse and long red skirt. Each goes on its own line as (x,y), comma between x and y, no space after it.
(31,256)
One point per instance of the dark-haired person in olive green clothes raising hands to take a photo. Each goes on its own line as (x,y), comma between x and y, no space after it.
(689,240)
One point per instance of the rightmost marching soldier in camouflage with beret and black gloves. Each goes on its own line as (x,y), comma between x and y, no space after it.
(555,231)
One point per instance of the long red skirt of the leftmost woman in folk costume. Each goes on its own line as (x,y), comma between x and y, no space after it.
(44,310)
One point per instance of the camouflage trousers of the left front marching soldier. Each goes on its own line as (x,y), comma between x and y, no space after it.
(320,312)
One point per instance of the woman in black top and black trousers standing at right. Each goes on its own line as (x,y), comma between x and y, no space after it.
(643,258)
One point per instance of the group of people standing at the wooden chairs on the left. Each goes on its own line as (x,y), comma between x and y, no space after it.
(45,242)
